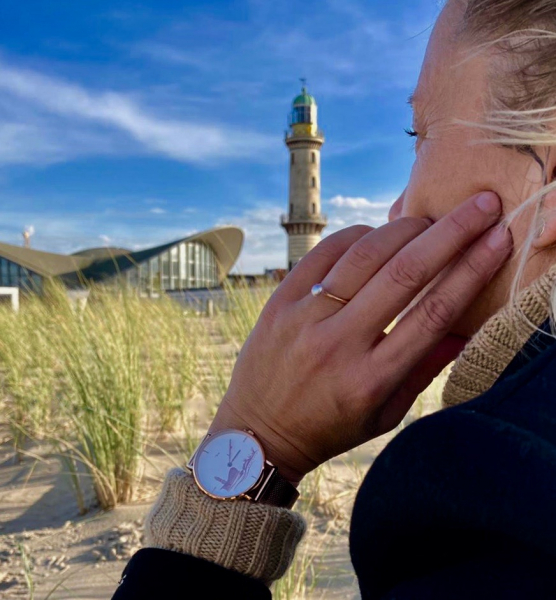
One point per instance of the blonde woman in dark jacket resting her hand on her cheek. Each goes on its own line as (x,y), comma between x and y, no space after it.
(461,503)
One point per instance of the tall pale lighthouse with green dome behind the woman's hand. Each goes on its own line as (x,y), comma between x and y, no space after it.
(304,222)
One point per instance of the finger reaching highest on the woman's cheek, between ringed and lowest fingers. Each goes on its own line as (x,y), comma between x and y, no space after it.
(405,275)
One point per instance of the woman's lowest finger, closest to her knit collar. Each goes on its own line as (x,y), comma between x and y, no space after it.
(431,319)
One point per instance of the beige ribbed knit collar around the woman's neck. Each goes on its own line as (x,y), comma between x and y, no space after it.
(498,341)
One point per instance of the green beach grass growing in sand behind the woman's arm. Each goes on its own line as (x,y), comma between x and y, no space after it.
(106,382)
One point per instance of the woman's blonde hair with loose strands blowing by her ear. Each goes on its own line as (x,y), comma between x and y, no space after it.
(522,115)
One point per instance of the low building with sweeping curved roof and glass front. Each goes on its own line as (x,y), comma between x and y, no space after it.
(199,261)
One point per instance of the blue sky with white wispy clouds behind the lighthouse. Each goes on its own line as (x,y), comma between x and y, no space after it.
(135,123)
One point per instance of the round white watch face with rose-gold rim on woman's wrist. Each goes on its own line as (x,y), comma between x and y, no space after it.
(228,464)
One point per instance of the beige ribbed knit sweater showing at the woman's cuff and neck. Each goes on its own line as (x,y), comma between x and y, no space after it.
(259,540)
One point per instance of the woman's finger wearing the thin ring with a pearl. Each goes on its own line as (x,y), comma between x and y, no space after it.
(362,261)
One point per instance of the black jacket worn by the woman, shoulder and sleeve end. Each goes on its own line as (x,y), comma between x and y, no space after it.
(461,504)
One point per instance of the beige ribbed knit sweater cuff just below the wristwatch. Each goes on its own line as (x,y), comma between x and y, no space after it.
(254,539)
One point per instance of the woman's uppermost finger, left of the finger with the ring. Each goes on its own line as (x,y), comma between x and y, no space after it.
(315,265)
